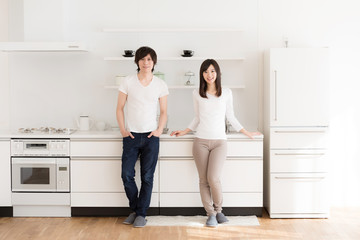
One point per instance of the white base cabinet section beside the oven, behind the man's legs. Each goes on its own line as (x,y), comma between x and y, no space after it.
(96,174)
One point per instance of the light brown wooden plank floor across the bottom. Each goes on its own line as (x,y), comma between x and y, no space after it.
(342,224)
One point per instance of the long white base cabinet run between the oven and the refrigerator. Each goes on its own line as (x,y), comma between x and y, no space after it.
(96,175)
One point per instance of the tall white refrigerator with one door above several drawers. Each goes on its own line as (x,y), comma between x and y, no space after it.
(295,128)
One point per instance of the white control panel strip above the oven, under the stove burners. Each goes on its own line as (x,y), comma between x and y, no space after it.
(40,147)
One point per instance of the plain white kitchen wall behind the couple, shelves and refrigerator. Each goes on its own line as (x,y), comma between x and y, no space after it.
(334,23)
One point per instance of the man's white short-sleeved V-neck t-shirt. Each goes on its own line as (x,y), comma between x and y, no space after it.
(142,103)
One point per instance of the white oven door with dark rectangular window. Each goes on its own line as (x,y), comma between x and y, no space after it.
(33,174)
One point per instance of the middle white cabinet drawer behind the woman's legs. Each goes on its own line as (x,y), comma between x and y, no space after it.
(180,175)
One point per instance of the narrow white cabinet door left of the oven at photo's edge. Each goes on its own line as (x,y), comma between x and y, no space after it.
(5,179)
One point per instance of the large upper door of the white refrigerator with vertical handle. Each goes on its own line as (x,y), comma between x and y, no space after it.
(299,87)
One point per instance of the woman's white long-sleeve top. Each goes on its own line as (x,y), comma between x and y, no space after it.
(210,113)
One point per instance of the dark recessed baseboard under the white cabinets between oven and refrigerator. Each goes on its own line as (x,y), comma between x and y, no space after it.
(167,211)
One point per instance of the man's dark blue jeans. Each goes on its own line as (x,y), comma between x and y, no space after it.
(148,150)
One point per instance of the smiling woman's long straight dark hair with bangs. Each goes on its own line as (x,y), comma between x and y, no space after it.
(203,85)
